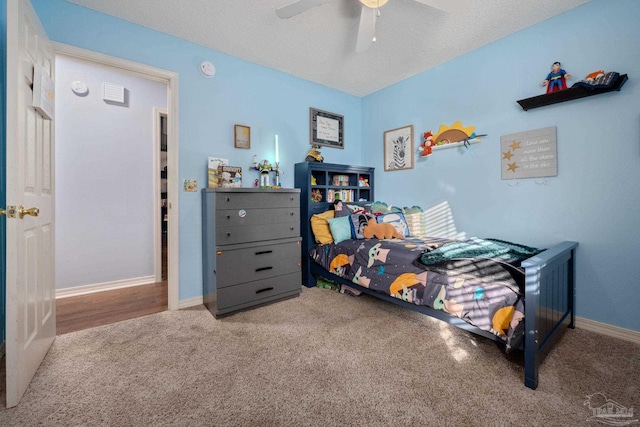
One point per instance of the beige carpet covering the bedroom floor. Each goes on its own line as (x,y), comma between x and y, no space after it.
(323,359)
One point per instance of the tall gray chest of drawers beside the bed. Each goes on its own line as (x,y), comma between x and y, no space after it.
(250,247)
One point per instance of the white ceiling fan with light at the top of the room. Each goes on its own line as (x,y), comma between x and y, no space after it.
(368,15)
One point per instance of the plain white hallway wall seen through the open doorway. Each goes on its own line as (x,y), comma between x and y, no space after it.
(104,176)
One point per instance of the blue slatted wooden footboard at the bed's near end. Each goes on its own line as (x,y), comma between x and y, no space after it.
(549,303)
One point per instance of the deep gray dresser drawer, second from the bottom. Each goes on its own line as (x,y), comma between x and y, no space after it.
(252,263)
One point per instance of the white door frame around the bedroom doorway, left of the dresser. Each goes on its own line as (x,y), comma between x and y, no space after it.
(171,79)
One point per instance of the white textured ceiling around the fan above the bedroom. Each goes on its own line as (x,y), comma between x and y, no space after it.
(319,44)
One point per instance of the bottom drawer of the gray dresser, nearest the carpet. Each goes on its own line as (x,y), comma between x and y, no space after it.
(249,294)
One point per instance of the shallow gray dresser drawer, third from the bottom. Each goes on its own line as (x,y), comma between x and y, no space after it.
(256,232)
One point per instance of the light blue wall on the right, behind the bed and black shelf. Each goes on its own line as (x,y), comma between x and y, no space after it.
(595,199)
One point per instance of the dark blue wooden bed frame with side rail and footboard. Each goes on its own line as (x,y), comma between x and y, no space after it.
(549,296)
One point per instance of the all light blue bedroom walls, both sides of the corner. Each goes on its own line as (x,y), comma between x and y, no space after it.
(594,199)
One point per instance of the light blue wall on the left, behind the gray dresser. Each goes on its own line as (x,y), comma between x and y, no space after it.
(269,101)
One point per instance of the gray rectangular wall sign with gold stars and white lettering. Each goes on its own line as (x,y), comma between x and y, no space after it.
(529,154)
